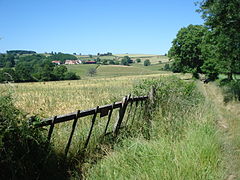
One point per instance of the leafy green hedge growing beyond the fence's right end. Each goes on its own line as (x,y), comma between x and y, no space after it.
(171,93)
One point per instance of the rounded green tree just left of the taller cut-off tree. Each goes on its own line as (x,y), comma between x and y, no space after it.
(186,49)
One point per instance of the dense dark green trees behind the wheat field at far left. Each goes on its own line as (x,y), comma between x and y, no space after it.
(32,68)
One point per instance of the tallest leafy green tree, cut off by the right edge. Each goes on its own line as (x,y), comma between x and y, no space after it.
(222,17)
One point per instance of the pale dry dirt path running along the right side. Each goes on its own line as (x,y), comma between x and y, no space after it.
(228,120)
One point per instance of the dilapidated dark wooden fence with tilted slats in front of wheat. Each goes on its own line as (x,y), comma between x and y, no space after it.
(105,110)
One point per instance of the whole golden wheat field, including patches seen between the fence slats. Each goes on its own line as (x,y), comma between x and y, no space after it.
(47,99)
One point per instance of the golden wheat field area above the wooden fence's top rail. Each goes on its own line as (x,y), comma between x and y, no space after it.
(60,97)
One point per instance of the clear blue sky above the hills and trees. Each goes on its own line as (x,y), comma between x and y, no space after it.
(94,26)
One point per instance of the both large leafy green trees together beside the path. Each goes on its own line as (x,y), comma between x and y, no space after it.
(212,48)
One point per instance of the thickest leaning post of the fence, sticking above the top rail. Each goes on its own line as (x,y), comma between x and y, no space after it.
(121,115)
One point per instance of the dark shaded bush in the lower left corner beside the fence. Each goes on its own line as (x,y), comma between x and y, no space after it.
(24,150)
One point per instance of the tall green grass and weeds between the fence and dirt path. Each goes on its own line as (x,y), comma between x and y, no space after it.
(184,141)
